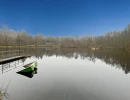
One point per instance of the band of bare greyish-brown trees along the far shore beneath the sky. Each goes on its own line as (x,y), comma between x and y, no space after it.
(115,39)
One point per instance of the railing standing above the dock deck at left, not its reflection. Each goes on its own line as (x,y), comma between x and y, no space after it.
(12,53)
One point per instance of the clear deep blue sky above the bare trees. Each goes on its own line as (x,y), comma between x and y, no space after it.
(65,17)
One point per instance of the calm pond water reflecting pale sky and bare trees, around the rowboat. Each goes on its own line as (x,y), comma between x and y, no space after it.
(70,75)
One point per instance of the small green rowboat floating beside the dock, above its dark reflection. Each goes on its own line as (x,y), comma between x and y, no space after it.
(30,67)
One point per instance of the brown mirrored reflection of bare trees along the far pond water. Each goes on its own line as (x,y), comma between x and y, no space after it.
(116,58)
